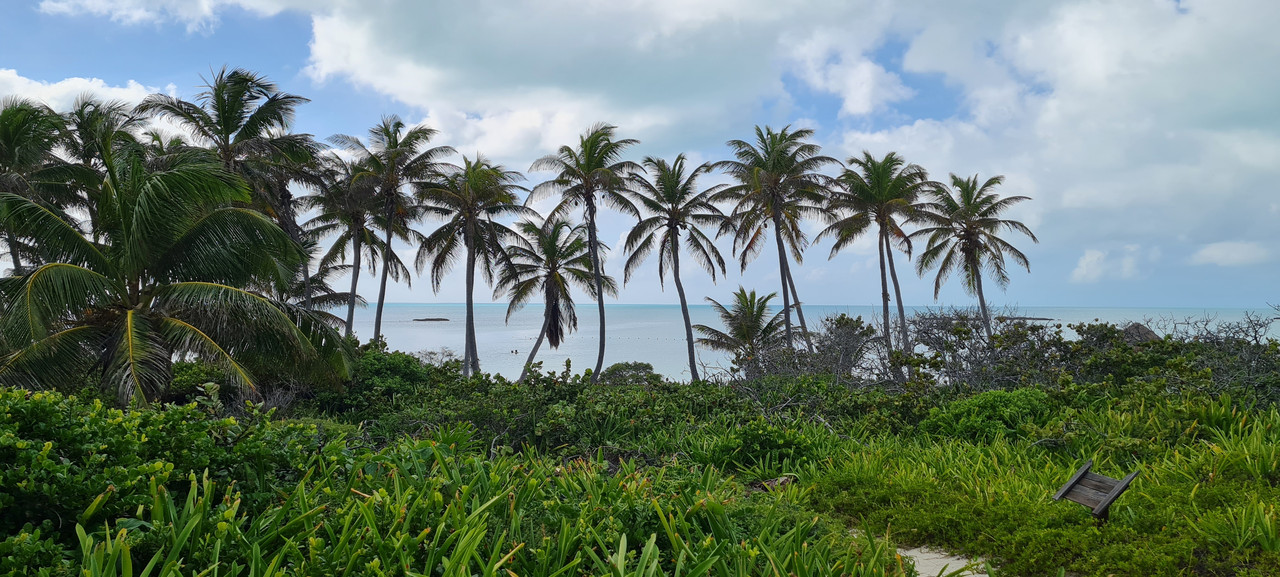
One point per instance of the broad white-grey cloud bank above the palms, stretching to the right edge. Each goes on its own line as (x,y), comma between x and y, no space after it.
(1132,123)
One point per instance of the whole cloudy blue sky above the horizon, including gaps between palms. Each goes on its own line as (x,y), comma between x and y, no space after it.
(1148,132)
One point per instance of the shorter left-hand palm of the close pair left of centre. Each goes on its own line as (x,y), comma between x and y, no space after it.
(346,207)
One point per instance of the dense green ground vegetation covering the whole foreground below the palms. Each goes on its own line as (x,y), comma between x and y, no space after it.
(418,470)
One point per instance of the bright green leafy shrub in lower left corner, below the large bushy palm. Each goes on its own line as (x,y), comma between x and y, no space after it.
(66,462)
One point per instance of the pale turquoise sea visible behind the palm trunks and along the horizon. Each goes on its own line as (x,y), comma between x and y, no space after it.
(653,333)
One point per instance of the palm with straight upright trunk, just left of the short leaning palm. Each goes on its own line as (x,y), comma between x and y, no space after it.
(470,198)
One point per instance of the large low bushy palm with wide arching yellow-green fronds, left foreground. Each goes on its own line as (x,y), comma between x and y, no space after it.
(167,281)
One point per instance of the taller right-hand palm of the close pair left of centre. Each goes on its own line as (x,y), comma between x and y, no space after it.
(395,158)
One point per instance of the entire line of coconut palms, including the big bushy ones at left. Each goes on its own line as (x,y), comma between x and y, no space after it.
(130,249)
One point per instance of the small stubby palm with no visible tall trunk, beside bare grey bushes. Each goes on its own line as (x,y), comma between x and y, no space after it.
(749,328)
